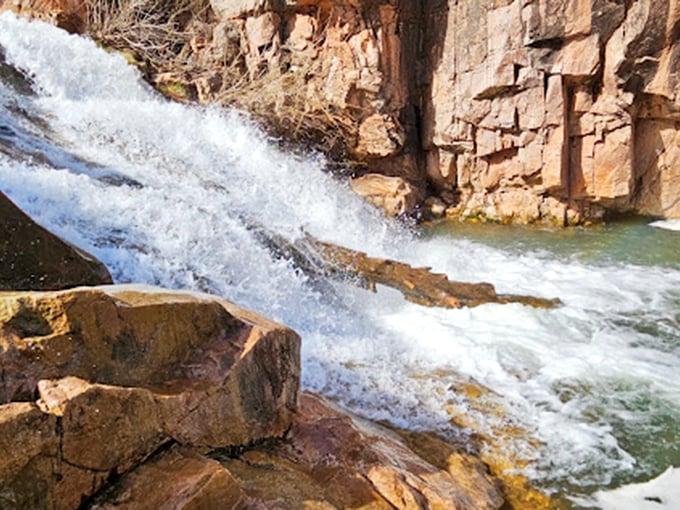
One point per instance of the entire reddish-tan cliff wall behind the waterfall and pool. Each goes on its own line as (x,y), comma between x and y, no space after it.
(524,110)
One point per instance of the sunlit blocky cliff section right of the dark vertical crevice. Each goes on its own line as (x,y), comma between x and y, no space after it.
(555,109)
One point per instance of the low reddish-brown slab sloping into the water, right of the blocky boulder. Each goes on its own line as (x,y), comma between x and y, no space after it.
(333,460)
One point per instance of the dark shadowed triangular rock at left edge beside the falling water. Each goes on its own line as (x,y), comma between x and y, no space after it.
(31,258)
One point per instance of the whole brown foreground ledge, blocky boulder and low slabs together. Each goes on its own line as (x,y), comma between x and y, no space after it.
(113,397)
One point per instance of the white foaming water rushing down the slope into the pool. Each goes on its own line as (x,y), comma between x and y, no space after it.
(167,194)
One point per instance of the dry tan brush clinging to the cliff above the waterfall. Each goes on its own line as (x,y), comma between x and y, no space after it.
(156,32)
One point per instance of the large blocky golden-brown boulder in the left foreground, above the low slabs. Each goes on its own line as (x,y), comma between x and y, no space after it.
(119,374)
